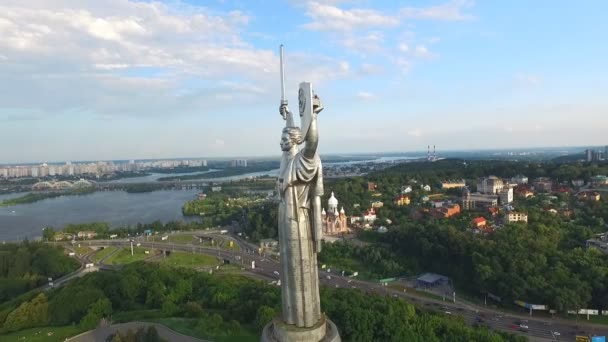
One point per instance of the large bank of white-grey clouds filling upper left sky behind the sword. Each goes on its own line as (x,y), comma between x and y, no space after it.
(122,57)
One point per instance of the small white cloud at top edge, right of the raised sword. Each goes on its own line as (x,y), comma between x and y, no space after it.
(450,11)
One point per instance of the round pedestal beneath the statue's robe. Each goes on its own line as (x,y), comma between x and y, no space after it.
(277,331)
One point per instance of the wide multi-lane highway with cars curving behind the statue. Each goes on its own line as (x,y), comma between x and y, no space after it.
(539,329)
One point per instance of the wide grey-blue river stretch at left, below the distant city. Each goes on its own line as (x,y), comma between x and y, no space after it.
(115,207)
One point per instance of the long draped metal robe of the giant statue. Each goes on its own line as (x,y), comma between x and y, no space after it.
(300,181)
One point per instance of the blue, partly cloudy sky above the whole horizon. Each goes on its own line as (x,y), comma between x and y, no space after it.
(124,79)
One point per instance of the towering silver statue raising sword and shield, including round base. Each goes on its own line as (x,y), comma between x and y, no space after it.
(300,187)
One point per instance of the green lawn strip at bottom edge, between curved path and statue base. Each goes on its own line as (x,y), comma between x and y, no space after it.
(188,327)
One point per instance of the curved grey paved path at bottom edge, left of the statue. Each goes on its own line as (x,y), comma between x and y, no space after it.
(100,334)
